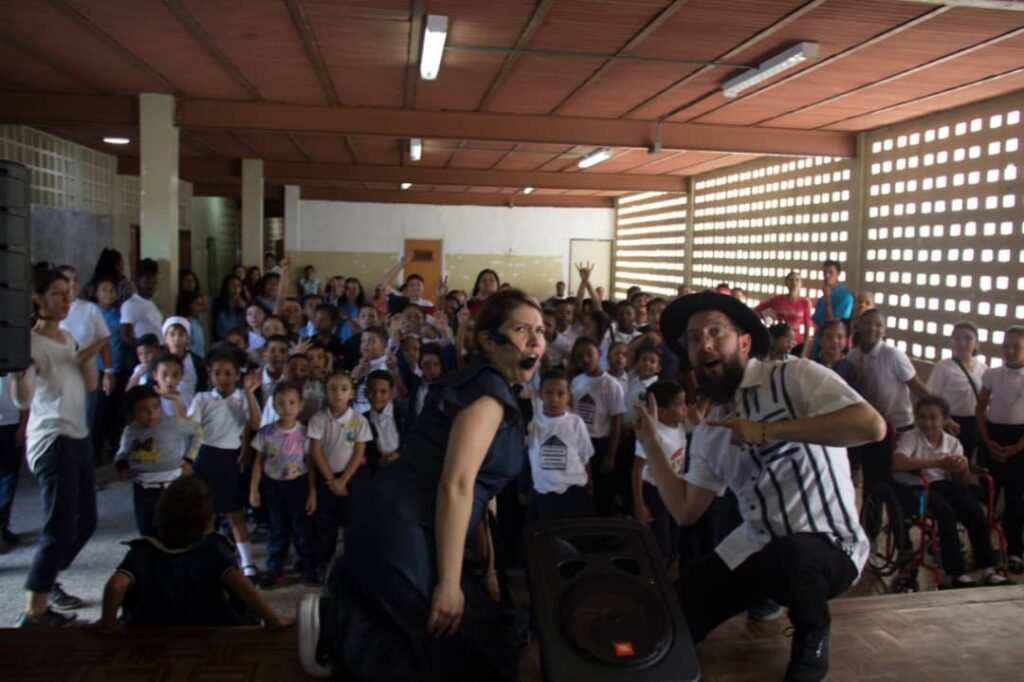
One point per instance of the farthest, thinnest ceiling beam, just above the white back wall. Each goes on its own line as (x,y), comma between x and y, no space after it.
(413,197)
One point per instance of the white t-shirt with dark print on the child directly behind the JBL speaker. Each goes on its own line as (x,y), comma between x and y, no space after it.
(560,449)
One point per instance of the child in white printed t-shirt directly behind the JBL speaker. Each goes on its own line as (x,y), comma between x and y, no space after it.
(560,451)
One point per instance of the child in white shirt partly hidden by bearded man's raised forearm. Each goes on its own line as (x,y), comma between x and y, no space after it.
(648,506)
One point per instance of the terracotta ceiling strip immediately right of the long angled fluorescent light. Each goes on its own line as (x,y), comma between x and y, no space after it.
(940,36)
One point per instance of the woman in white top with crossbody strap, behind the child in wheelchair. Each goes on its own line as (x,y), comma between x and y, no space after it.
(958,379)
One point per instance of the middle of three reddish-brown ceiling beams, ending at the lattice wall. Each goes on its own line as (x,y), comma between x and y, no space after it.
(291,173)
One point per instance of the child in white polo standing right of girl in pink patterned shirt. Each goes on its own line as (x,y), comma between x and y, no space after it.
(338,438)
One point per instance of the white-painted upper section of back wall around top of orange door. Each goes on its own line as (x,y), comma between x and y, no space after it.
(471,230)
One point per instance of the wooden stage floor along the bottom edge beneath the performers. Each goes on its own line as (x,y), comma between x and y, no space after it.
(957,635)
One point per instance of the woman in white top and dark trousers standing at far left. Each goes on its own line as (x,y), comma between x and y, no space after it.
(54,389)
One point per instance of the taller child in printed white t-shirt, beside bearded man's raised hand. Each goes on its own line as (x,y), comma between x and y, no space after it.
(600,400)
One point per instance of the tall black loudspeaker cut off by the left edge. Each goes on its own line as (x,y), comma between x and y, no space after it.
(16,270)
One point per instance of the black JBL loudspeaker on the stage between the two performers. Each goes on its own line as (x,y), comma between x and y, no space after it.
(604,605)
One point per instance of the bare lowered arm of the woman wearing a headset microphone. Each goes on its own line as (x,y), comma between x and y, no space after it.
(472,436)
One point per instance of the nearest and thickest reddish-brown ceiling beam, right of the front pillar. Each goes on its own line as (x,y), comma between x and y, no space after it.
(196,114)
